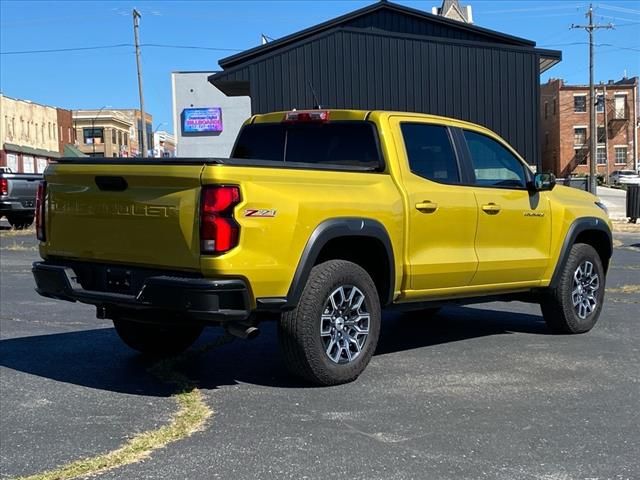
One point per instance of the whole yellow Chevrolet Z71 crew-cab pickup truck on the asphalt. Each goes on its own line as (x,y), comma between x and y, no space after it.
(320,219)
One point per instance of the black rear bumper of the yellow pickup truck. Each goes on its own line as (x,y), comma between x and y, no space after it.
(201,299)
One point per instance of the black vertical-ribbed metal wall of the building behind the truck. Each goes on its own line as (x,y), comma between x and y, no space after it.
(490,86)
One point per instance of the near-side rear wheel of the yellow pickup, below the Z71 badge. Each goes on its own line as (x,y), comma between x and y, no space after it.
(303,346)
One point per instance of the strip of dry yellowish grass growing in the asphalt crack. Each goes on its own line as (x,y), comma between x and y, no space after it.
(190,418)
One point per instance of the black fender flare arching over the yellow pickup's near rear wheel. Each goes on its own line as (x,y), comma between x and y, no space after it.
(326,231)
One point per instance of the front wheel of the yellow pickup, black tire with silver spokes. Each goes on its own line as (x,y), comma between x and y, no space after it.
(558,309)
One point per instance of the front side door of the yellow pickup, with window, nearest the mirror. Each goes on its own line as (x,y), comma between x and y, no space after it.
(514,225)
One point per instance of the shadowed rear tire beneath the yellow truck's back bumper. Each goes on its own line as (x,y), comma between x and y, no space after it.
(157,340)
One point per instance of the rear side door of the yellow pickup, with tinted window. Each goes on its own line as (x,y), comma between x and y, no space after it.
(441,214)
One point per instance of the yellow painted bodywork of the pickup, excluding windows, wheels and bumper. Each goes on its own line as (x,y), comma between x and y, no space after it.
(455,251)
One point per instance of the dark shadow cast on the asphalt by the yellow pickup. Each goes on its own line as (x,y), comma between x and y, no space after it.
(98,359)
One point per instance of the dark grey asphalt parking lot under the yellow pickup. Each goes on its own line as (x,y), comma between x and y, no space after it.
(475,392)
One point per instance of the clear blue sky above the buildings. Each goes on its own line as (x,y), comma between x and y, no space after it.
(211,30)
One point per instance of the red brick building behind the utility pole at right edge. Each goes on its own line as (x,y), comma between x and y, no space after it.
(565,135)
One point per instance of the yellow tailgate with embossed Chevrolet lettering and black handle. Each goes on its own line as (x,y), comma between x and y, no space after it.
(130,214)
